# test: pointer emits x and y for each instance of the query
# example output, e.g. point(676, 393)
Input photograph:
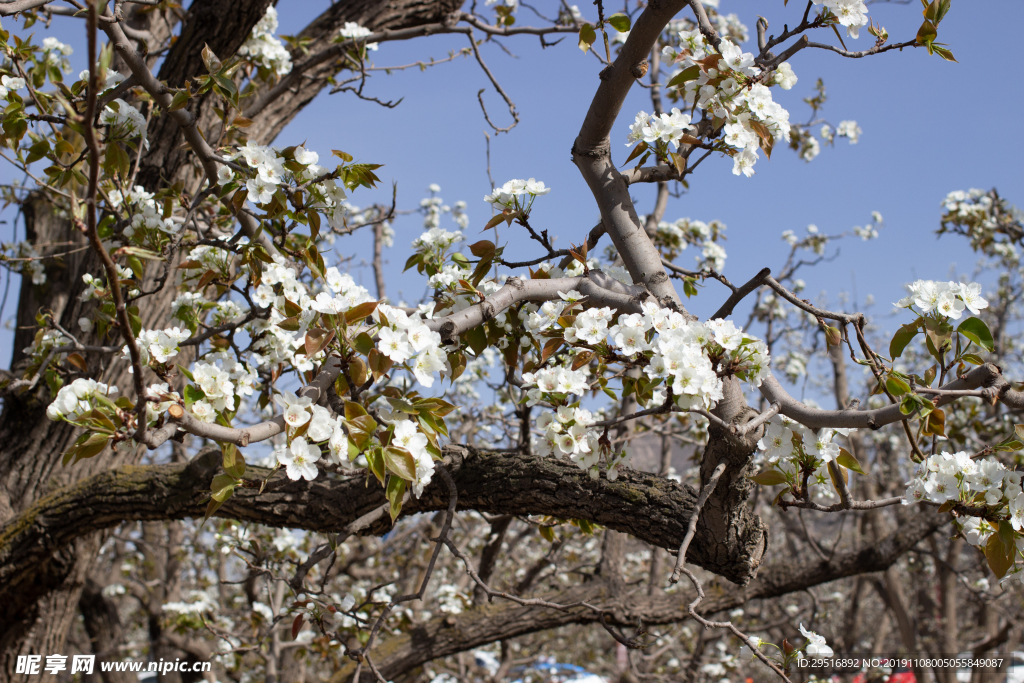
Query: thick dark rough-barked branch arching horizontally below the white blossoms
point(652, 508)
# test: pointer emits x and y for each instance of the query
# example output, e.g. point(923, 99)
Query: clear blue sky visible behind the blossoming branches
point(930, 127)
